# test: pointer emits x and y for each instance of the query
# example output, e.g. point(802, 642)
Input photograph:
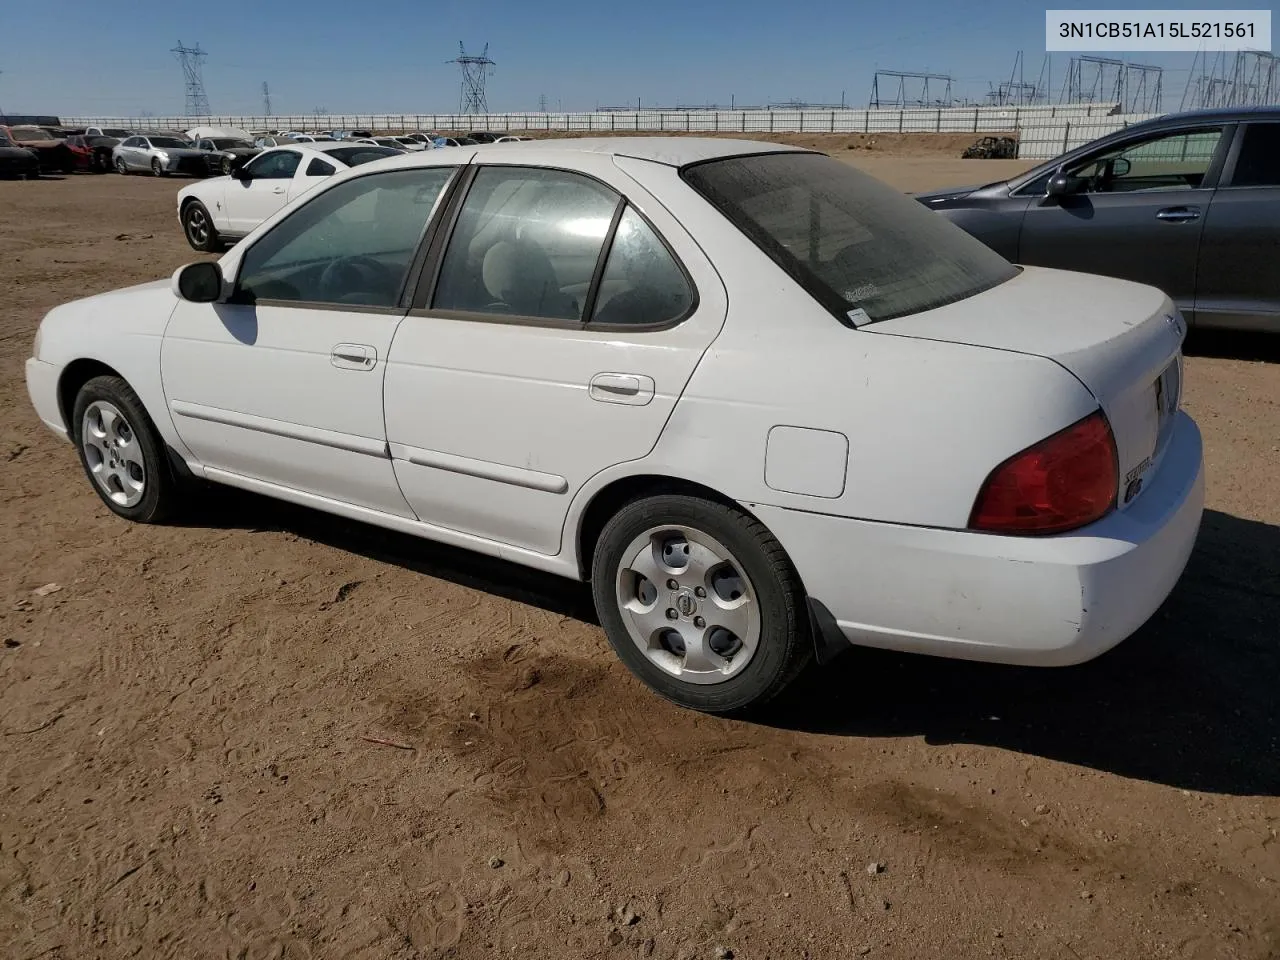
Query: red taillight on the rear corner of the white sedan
point(1062, 483)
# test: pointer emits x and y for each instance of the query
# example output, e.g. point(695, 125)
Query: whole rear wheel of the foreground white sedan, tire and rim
point(701, 602)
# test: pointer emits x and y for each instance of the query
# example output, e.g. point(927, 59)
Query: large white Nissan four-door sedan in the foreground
point(766, 405)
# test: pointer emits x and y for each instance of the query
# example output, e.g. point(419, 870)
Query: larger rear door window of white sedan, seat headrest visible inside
point(527, 244)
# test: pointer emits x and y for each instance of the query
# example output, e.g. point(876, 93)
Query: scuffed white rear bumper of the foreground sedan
point(1032, 601)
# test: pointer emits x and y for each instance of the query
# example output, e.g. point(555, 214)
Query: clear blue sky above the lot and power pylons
point(92, 58)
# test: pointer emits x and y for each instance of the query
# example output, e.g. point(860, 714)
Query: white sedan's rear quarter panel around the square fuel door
point(926, 420)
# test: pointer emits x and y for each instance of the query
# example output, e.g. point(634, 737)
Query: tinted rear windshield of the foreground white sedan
point(865, 250)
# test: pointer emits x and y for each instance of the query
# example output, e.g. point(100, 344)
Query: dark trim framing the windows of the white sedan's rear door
point(424, 294)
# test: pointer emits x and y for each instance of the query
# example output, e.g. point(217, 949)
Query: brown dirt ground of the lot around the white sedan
point(185, 772)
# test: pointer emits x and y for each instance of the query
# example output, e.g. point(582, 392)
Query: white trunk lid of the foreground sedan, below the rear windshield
point(1122, 340)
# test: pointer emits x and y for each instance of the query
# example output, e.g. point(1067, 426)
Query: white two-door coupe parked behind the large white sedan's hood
point(221, 211)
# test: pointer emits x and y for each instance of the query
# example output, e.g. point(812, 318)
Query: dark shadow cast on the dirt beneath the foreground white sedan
point(1192, 701)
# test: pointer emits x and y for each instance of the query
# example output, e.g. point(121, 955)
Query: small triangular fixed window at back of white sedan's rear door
point(642, 282)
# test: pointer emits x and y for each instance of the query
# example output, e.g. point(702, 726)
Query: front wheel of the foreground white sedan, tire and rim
point(124, 455)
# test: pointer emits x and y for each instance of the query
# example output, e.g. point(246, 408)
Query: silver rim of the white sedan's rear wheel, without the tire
point(688, 605)
